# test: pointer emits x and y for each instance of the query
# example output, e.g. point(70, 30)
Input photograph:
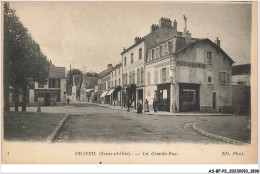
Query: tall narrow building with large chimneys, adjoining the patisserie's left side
point(133, 59)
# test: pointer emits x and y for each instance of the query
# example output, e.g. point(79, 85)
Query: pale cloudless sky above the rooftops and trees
point(90, 35)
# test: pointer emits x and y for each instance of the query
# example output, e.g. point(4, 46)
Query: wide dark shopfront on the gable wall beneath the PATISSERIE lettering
point(189, 97)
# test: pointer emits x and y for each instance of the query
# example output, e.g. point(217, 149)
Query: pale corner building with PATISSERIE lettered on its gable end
point(189, 75)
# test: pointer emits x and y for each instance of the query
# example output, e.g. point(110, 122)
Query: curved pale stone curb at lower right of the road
point(217, 137)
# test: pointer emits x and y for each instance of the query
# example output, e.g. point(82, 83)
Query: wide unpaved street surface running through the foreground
point(99, 123)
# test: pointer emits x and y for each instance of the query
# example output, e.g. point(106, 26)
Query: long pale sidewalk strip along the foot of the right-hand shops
point(151, 112)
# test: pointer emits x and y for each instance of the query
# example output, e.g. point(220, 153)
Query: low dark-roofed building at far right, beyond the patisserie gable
point(241, 74)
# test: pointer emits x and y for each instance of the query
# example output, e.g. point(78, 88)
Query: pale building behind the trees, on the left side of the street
point(53, 92)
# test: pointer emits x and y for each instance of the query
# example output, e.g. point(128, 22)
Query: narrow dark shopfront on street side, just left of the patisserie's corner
point(163, 96)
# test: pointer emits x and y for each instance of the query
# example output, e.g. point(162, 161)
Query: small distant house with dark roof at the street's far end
point(87, 87)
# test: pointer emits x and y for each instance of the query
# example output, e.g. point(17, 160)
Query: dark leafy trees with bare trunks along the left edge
point(23, 59)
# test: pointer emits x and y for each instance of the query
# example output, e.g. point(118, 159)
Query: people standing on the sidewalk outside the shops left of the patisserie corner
point(140, 105)
